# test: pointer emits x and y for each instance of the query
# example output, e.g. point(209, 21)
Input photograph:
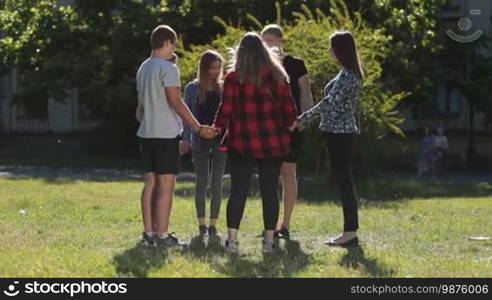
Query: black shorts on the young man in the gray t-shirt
point(161, 156)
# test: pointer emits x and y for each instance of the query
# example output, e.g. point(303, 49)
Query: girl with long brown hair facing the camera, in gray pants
point(203, 96)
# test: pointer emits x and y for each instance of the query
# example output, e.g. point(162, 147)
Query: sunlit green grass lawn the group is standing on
point(64, 228)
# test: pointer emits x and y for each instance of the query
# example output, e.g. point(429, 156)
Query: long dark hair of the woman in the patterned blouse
point(343, 45)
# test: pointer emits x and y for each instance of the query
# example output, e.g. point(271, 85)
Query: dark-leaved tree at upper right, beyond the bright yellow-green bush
point(416, 43)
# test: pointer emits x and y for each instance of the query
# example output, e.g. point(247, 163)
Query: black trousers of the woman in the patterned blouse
point(340, 153)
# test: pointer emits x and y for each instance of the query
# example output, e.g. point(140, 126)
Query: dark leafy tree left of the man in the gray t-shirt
point(94, 46)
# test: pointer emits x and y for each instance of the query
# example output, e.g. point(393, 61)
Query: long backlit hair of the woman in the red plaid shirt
point(251, 55)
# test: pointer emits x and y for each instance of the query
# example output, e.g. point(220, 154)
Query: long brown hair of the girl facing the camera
point(204, 81)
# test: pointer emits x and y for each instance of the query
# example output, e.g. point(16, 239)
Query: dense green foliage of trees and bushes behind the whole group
point(97, 46)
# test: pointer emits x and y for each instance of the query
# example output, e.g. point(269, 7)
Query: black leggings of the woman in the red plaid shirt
point(241, 168)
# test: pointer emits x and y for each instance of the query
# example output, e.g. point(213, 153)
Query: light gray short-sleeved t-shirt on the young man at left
point(160, 120)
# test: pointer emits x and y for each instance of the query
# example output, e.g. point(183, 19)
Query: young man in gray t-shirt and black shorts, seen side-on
point(160, 112)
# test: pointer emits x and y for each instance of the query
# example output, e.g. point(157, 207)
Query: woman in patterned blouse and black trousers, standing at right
point(337, 115)
